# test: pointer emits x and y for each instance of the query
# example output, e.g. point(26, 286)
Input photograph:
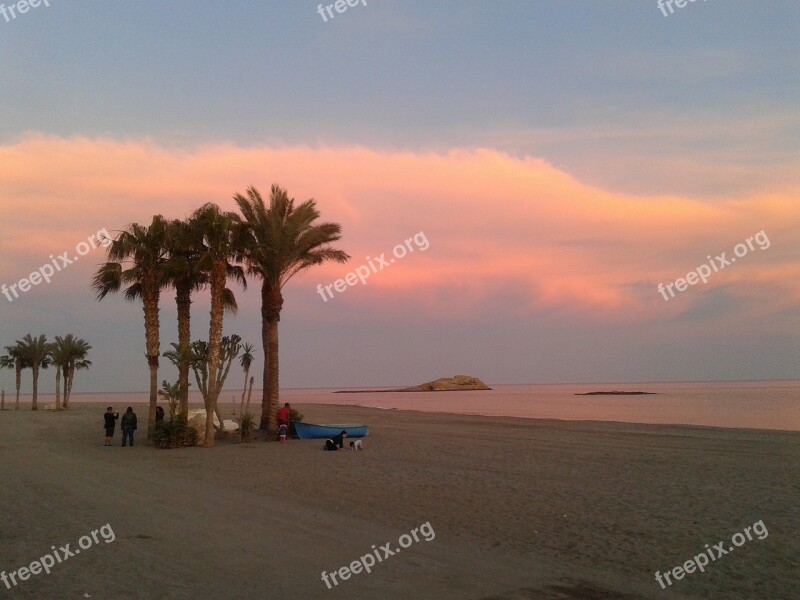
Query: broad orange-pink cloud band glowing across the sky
point(495, 224)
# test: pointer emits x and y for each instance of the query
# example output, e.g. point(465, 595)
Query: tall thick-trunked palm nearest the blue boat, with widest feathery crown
point(283, 239)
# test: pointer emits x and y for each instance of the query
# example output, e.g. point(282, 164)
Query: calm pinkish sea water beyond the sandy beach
point(758, 405)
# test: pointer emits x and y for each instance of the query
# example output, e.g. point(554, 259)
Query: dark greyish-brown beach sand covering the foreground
point(521, 509)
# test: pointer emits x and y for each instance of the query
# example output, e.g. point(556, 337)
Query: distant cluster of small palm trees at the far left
point(67, 354)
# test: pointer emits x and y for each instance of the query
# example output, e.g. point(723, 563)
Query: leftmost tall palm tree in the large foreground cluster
point(145, 248)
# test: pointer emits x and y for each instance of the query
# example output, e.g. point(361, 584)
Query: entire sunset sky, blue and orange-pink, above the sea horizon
point(514, 181)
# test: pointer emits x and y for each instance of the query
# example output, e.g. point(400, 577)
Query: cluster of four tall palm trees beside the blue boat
point(271, 242)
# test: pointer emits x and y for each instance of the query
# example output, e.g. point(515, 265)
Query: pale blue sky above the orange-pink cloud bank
point(563, 79)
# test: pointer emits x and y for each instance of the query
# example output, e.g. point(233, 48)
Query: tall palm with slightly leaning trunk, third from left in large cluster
point(222, 238)
